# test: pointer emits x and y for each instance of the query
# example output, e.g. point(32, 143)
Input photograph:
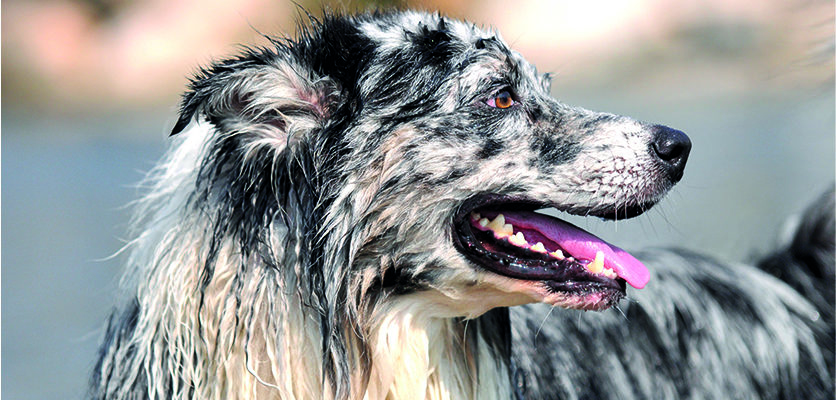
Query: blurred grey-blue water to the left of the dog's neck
point(65, 185)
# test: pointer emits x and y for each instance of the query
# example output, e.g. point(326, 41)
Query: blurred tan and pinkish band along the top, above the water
point(81, 54)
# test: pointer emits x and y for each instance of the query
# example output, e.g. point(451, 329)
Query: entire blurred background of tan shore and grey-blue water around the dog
point(90, 88)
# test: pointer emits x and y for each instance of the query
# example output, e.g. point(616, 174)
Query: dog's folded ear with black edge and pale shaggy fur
point(259, 90)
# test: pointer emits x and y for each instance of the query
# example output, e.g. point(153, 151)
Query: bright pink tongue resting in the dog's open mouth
point(582, 245)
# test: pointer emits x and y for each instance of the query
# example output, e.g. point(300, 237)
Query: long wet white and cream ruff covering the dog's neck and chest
point(216, 320)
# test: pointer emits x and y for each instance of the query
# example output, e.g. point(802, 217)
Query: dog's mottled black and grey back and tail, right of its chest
point(707, 329)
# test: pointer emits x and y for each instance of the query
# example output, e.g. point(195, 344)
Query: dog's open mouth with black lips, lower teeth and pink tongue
point(510, 239)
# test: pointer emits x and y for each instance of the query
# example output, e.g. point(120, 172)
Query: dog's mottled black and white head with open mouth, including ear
point(404, 154)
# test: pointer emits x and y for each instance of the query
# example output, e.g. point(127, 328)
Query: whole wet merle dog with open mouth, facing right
point(350, 214)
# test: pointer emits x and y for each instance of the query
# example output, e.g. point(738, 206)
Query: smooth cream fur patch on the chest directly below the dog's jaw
point(416, 356)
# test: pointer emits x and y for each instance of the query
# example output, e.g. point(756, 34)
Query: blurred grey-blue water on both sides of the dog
point(757, 159)
